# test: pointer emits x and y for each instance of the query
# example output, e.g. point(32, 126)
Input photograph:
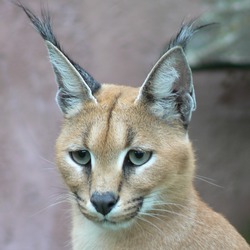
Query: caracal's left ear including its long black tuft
point(75, 85)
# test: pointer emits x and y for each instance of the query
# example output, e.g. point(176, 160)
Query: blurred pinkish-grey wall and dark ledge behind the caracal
point(118, 42)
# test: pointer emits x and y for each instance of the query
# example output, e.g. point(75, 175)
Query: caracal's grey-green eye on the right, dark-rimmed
point(138, 157)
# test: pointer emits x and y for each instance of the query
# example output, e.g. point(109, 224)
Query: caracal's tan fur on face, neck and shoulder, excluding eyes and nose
point(176, 217)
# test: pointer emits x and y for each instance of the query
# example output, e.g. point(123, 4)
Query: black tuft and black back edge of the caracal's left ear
point(44, 28)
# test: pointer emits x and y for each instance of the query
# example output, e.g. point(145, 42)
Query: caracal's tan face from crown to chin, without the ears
point(119, 161)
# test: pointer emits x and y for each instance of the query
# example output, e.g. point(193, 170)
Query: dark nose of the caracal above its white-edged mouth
point(103, 202)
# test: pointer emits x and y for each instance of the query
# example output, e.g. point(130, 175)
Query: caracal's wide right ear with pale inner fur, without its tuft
point(168, 89)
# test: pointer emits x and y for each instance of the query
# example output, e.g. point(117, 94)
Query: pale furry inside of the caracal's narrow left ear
point(73, 91)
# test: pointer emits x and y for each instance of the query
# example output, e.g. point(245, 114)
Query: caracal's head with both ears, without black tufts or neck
point(124, 151)
